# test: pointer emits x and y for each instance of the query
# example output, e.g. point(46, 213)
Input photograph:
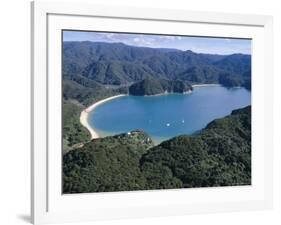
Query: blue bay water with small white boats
point(166, 116)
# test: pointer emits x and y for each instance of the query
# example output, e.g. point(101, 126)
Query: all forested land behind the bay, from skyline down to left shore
point(93, 71)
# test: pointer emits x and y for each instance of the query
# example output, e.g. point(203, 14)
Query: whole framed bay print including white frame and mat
point(146, 112)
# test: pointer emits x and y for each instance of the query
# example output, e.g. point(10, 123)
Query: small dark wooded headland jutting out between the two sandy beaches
point(152, 86)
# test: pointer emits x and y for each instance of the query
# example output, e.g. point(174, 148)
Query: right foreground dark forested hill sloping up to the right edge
point(219, 156)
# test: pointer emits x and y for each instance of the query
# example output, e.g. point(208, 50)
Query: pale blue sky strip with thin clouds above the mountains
point(209, 45)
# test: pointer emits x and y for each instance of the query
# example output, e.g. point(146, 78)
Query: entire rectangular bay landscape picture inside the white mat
point(143, 111)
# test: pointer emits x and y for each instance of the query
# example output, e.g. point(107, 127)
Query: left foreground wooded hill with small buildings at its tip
point(106, 164)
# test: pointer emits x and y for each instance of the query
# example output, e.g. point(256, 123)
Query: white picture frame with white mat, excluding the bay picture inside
point(48, 205)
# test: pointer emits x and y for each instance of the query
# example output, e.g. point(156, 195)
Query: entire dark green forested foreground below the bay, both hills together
point(220, 155)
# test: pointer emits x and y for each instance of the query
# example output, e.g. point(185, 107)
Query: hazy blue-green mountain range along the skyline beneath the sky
point(120, 64)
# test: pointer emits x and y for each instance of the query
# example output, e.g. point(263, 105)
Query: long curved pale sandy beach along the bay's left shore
point(85, 113)
